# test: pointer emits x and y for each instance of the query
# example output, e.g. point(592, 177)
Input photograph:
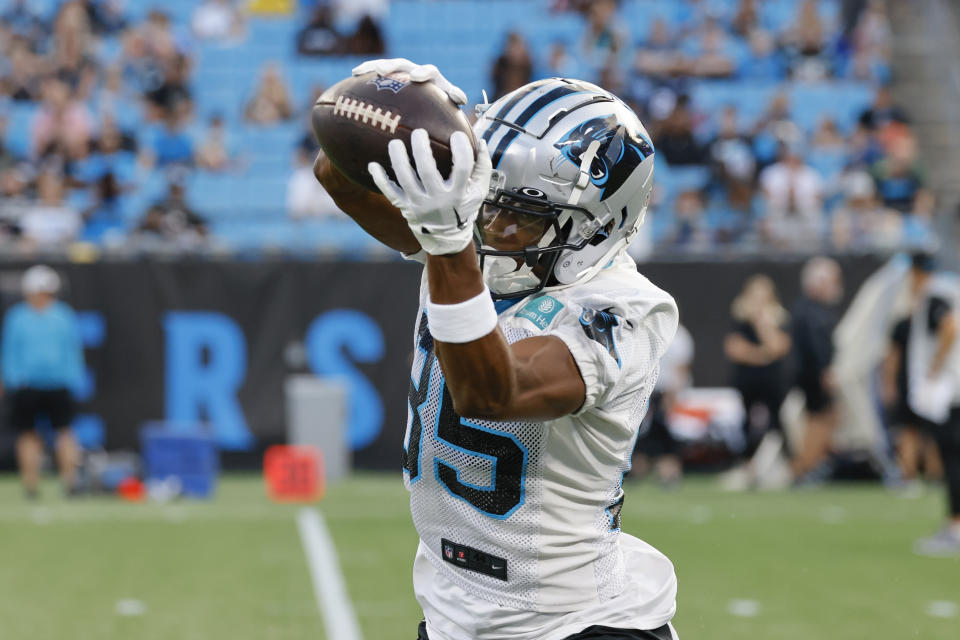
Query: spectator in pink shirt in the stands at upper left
point(62, 120)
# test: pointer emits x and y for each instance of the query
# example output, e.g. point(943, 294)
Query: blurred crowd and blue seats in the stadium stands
point(133, 126)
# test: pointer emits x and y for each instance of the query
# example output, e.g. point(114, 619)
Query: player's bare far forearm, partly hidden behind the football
point(371, 211)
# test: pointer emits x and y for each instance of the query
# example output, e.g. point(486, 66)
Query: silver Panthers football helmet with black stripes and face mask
point(573, 170)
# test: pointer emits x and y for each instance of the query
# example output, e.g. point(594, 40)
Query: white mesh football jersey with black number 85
point(521, 518)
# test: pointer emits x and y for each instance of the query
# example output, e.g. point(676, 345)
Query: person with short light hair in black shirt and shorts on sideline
point(815, 316)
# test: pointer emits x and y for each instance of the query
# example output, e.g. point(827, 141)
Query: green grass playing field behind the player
point(831, 564)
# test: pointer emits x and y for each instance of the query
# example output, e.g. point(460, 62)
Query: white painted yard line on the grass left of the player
point(339, 618)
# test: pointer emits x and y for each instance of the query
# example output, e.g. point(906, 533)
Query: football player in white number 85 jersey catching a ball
point(537, 347)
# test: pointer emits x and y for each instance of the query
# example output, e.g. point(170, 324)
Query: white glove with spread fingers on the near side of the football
point(441, 213)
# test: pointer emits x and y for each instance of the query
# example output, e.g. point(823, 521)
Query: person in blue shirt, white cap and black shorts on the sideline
point(42, 366)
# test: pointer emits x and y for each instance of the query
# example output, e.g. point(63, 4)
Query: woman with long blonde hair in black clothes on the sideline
point(757, 347)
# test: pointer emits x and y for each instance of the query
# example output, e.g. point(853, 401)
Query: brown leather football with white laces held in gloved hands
point(356, 118)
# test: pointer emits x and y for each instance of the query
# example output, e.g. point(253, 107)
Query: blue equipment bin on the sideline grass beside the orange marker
point(189, 456)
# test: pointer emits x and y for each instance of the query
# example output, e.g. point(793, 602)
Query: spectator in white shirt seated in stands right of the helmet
point(793, 200)
